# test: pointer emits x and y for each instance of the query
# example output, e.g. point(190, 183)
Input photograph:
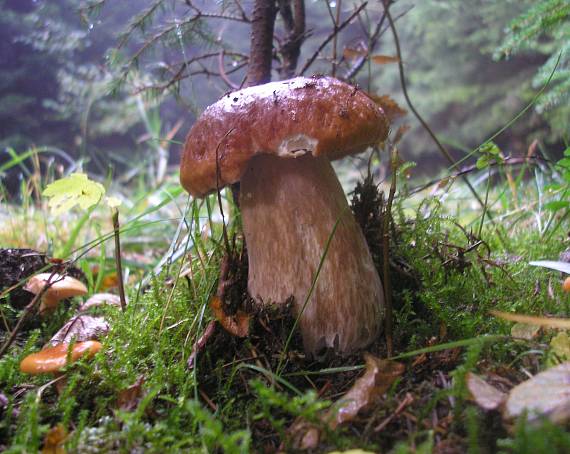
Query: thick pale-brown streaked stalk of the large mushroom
point(289, 210)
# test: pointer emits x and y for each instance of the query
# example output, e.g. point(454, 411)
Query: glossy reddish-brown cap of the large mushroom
point(320, 115)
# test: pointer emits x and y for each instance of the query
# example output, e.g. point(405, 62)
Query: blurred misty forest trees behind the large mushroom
point(103, 80)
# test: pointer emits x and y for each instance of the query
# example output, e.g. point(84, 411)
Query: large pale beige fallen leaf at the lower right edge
point(547, 394)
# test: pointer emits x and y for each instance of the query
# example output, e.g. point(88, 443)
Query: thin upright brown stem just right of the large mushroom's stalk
point(386, 254)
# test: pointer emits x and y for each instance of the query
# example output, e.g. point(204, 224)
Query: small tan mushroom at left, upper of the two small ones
point(61, 287)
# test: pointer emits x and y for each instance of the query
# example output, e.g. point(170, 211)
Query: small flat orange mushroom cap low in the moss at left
point(53, 359)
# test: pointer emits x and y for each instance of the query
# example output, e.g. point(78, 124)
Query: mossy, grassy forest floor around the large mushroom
point(169, 378)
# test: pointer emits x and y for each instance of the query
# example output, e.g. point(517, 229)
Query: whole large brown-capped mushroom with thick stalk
point(278, 139)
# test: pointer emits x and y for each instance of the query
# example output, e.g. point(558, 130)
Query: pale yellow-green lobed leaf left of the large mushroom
point(76, 189)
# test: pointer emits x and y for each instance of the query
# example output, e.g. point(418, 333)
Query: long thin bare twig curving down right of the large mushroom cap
point(439, 145)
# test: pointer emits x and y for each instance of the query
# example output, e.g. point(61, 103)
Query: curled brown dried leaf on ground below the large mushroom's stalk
point(367, 390)
